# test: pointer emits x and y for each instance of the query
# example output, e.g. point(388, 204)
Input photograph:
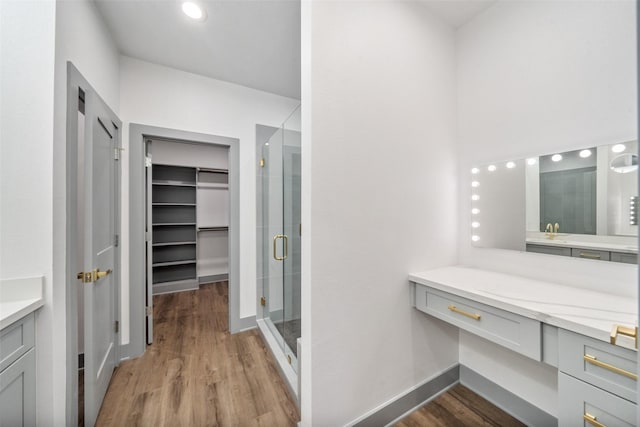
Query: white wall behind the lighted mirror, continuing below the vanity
point(533, 78)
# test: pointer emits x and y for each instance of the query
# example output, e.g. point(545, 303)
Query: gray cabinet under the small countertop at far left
point(18, 373)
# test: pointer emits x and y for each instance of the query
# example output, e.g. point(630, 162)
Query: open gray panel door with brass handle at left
point(99, 252)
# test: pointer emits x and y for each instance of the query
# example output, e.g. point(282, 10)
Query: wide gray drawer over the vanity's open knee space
point(515, 332)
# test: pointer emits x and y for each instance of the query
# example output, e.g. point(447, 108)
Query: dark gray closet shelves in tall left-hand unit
point(173, 221)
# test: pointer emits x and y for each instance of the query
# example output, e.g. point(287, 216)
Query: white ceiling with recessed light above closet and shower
point(254, 43)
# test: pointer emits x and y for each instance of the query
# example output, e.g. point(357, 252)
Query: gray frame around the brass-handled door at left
point(75, 80)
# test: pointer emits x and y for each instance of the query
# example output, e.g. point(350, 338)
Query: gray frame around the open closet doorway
point(138, 134)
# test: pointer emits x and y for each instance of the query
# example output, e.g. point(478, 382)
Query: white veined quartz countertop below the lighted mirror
point(579, 310)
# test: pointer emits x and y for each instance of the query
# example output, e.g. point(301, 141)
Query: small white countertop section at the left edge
point(19, 297)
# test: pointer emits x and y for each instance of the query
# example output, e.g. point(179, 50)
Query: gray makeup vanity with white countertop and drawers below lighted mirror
point(565, 327)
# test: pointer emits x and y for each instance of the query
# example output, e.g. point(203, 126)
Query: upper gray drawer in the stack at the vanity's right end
point(598, 363)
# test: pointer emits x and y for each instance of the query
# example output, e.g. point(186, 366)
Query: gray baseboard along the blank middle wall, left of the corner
point(408, 401)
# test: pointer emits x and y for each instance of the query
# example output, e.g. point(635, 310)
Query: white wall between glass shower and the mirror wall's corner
point(379, 201)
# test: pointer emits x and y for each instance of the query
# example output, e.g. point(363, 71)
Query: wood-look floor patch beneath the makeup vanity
point(459, 407)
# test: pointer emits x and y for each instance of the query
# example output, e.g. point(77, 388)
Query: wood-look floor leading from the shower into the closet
point(197, 374)
